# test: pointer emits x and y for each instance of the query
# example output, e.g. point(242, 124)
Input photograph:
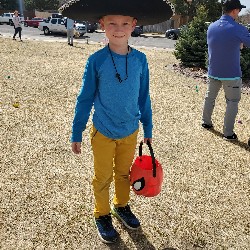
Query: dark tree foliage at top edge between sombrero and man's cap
point(213, 7)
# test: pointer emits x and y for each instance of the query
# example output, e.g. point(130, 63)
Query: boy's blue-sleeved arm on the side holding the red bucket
point(145, 103)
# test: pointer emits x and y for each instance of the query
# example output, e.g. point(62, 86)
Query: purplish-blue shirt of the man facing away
point(224, 38)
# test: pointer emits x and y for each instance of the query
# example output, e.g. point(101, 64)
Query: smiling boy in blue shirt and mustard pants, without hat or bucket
point(116, 82)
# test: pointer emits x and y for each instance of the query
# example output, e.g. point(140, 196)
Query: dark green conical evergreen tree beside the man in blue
point(191, 48)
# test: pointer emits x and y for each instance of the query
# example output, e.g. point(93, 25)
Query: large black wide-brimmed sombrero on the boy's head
point(147, 12)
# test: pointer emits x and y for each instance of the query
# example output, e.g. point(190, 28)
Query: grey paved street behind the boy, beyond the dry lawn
point(146, 40)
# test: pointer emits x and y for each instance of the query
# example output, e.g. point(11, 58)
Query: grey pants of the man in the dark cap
point(232, 90)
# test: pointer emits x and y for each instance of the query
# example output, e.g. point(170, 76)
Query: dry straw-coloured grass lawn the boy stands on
point(46, 198)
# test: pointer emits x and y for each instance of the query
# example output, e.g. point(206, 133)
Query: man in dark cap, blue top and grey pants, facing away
point(224, 39)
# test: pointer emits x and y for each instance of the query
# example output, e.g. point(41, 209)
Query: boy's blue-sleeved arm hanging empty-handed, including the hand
point(84, 103)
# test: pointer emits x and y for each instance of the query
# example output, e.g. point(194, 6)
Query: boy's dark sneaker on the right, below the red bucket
point(126, 216)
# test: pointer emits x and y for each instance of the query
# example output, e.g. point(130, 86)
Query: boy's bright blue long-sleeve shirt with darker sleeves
point(118, 107)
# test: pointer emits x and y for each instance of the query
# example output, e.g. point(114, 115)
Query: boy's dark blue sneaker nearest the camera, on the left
point(105, 229)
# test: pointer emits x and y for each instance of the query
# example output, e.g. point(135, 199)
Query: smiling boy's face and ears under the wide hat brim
point(118, 28)
